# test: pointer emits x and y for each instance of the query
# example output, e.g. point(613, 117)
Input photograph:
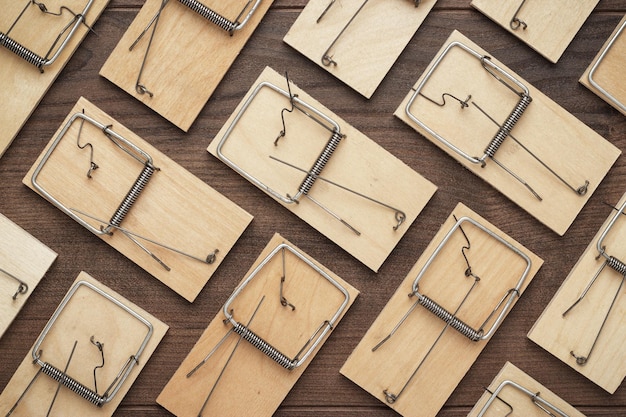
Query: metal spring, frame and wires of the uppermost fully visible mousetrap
point(504, 129)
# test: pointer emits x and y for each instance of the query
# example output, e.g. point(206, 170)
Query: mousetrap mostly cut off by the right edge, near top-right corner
point(604, 75)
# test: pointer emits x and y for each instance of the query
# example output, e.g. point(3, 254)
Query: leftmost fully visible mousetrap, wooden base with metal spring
point(136, 199)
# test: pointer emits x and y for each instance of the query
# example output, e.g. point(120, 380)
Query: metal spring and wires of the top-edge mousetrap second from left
point(209, 14)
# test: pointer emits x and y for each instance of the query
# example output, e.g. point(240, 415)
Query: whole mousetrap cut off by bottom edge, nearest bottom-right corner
point(513, 392)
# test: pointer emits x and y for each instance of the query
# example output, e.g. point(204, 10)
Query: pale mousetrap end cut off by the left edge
point(24, 261)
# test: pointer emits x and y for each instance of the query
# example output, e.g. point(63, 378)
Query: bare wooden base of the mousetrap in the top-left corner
point(23, 85)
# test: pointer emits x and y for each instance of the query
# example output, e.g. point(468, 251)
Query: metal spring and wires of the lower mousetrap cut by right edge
point(616, 265)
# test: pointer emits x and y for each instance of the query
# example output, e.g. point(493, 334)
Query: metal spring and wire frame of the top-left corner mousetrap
point(32, 57)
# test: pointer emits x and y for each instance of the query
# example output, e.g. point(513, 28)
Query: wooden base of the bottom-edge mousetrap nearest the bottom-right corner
point(521, 402)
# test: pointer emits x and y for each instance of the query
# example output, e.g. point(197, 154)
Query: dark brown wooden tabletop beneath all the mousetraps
point(321, 390)
